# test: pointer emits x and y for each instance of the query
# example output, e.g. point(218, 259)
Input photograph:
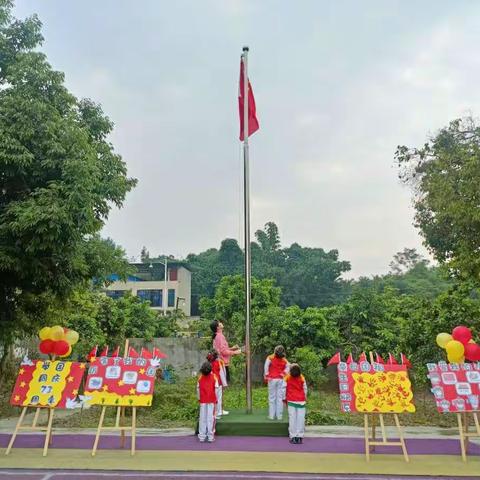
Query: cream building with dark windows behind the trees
point(148, 282)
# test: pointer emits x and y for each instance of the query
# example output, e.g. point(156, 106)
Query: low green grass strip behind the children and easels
point(176, 406)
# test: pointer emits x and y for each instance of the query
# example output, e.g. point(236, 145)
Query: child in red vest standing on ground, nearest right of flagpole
point(294, 392)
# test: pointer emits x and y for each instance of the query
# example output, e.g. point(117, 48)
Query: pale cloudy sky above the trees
point(338, 85)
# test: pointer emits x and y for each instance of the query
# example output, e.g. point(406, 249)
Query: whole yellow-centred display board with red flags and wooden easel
point(375, 388)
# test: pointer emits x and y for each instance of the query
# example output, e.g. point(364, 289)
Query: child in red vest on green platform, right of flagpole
point(276, 367)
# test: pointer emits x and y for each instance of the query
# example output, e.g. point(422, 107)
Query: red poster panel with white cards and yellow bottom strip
point(117, 381)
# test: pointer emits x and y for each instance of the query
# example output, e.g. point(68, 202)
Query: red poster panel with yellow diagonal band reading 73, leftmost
point(46, 383)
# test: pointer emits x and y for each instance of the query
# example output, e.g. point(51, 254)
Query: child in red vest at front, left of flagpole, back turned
point(206, 386)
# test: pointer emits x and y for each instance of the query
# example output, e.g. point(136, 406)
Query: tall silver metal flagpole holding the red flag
point(248, 263)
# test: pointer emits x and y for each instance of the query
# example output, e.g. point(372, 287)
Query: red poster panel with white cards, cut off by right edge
point(456, 387)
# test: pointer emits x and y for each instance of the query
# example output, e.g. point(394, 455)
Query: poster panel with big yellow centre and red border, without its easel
point(368, 388)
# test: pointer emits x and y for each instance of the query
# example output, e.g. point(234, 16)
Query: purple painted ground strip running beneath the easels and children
point(416, 446)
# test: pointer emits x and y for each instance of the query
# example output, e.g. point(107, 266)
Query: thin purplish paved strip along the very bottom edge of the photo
point(84, 475)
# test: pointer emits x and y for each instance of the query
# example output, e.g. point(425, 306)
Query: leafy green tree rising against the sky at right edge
point(444, 174)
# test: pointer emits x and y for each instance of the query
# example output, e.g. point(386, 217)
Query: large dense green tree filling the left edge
point(59, 178)
